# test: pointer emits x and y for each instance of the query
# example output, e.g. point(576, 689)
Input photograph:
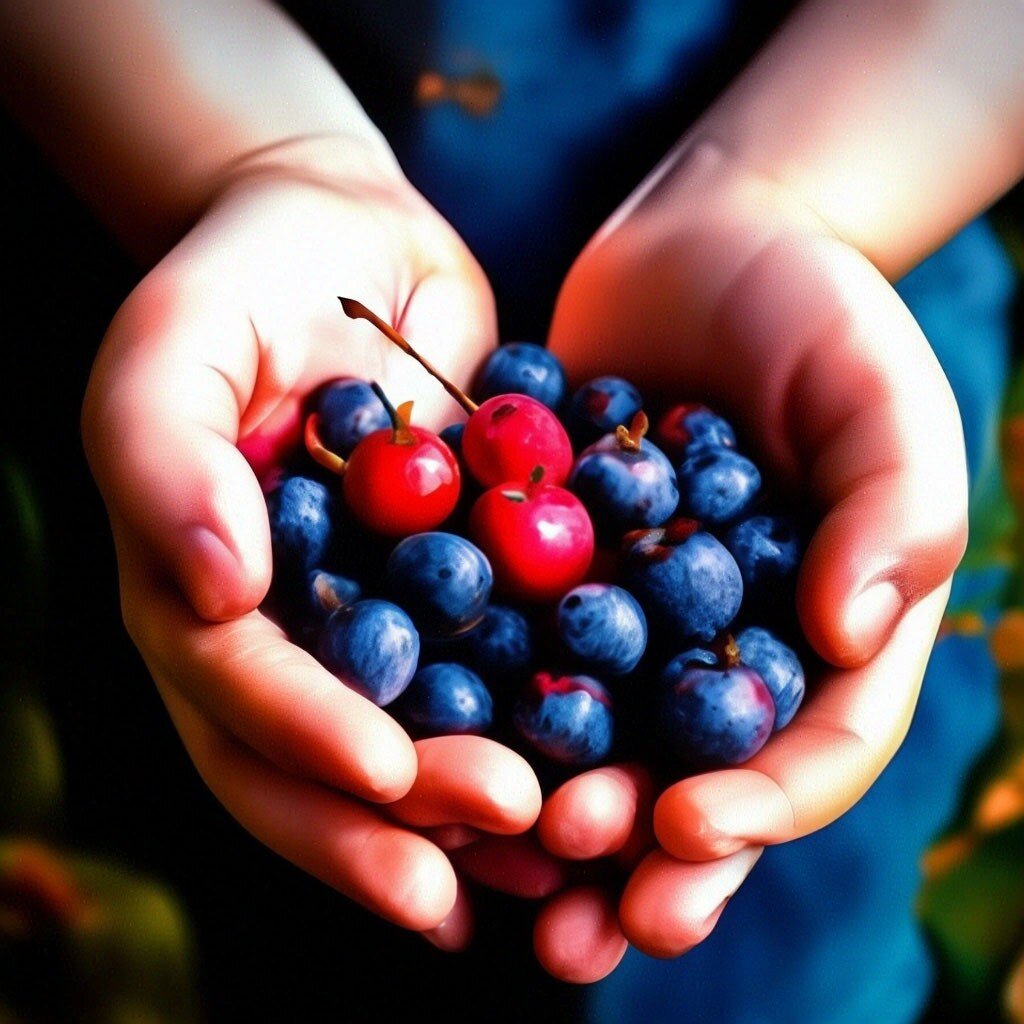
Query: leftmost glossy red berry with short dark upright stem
point(402, 487)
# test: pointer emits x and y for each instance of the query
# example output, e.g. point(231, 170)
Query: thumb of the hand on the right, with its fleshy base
point(872, 428)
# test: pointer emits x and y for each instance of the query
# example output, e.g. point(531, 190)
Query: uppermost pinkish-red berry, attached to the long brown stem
point(510, 436)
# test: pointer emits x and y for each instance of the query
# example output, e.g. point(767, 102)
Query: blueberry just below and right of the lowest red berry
point(605, 627)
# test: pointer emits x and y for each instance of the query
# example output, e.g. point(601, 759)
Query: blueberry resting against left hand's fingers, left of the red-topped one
point(446, 700)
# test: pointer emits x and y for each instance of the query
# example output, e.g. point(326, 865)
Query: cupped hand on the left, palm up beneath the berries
point(226, 336)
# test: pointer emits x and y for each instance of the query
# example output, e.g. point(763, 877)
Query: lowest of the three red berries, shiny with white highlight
point(538, 537)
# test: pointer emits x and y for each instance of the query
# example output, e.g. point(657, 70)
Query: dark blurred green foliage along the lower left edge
point(81, 940)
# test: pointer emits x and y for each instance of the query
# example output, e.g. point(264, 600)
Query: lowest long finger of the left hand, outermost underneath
point(389, 870)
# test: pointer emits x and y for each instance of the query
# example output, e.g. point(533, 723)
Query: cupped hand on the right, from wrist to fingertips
point(715, 284)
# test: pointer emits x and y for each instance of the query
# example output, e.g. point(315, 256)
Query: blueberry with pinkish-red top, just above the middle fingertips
point(568, 719)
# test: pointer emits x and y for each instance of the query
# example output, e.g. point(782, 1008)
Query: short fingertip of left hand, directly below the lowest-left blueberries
point(471, 781)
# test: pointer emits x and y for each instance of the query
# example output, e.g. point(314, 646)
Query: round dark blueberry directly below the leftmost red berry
point(444, 581)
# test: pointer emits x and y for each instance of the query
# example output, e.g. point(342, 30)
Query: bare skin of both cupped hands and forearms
point(261, 192)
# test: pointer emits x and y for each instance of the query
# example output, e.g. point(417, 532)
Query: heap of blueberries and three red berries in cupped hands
point(566, 585)
